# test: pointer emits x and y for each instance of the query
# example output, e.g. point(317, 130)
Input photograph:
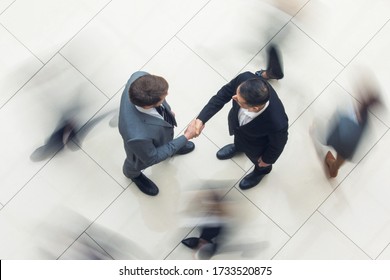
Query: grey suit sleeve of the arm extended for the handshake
point(149, 154)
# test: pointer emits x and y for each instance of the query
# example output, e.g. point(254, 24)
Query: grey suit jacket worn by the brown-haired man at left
point(148, 140)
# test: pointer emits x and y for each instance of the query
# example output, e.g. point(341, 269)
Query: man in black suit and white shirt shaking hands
point(257, 120)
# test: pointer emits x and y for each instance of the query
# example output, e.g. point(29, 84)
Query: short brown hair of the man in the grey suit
point(148, 90)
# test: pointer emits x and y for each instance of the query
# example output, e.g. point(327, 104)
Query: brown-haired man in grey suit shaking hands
point(146, 124)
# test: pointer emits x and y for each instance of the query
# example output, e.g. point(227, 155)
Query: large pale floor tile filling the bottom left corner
point(55, 207)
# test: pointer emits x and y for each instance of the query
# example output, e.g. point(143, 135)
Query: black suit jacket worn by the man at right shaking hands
point(265, 136)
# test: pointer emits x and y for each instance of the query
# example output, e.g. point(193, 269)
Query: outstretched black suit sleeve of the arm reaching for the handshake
point(223, 96)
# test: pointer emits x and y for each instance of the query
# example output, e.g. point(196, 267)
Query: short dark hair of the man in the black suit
point(254, 91)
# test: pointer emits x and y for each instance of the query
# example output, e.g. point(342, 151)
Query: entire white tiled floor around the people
point(78, 204)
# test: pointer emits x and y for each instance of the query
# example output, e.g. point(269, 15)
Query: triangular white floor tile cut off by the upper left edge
point(18, 65)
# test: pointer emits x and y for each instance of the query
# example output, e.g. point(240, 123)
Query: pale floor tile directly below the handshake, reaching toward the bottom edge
point(156, 217)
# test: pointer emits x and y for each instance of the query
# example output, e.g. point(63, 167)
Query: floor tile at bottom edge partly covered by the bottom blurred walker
point(251, 235)
